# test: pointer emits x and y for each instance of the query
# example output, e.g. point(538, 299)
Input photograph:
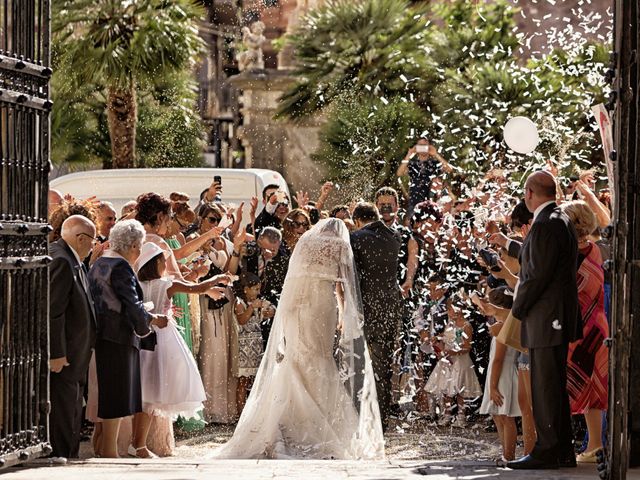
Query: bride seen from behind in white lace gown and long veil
point(314, 397)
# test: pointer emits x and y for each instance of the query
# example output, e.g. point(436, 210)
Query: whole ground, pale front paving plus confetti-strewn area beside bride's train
point(414, 449)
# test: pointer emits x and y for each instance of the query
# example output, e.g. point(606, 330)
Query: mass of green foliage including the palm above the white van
point(110, 61)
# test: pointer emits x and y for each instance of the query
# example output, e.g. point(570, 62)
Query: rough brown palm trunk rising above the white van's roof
point(122, 115)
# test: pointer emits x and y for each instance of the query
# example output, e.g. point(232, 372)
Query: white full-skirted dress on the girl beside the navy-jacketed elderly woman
point(171, 384)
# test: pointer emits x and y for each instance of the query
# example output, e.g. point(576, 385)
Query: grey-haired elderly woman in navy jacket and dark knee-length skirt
point(123, 325)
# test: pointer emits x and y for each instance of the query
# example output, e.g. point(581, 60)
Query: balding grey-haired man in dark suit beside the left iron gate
point(72, 333)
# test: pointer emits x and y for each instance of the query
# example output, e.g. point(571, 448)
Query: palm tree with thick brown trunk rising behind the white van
point(124, 44)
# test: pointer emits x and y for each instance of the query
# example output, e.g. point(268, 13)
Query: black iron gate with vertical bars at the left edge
point(24, 282)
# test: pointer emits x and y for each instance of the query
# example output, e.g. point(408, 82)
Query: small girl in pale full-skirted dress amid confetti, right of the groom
point(453, 378)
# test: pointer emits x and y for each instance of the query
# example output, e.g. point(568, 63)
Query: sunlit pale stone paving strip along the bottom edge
point(172, 469)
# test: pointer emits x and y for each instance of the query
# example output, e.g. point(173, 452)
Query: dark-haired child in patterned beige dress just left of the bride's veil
point(248, 315)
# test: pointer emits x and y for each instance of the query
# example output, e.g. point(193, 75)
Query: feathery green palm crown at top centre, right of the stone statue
point(355, 45)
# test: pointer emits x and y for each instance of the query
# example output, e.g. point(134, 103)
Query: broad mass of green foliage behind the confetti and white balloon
point(452, 69)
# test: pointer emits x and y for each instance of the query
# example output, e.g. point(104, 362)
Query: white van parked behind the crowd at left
point(121, 186)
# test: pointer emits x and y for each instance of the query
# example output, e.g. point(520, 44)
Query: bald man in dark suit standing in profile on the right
point(546, 301)
